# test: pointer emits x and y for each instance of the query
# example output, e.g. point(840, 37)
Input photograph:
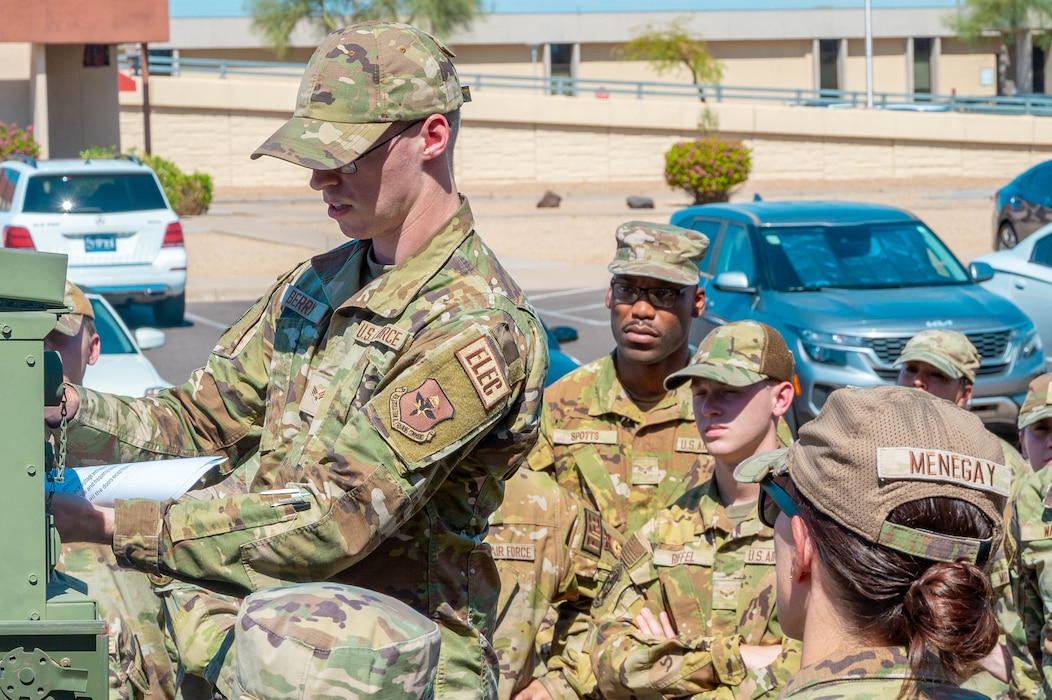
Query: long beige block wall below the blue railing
point(213, 126)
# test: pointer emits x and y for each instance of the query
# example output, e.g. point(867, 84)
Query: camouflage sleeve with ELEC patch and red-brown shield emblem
point(365, 473)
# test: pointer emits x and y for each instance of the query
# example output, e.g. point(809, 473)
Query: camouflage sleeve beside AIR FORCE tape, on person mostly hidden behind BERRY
point(595, 549)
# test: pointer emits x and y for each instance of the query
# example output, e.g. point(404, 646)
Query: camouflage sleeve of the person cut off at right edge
point(1029, 548)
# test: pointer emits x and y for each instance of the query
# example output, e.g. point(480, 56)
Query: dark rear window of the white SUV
point(95, 194)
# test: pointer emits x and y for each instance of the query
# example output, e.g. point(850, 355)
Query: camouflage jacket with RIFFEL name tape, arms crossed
point(717, 583)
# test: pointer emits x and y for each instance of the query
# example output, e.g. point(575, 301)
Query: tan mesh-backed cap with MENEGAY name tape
point(873, 450)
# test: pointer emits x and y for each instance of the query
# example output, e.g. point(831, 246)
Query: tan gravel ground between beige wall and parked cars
point(580, 231)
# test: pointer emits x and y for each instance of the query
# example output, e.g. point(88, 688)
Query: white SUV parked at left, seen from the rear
point(112, 219)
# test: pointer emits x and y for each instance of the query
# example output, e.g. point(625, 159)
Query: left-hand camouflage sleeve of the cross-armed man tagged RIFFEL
point(628, 663)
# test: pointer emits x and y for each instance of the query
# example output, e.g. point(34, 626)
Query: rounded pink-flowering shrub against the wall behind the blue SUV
point(707, 169)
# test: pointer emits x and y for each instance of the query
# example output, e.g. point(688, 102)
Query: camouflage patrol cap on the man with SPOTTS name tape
point(660, 251)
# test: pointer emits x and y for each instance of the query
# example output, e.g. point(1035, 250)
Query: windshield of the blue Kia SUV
point(858, 257)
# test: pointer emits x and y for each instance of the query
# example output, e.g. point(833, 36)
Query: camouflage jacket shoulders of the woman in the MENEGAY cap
point(874, 674)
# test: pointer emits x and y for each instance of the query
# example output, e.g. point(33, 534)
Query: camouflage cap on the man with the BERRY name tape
point(360, 81)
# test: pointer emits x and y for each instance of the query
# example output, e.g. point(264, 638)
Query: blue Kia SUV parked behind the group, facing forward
point(847, 285)
